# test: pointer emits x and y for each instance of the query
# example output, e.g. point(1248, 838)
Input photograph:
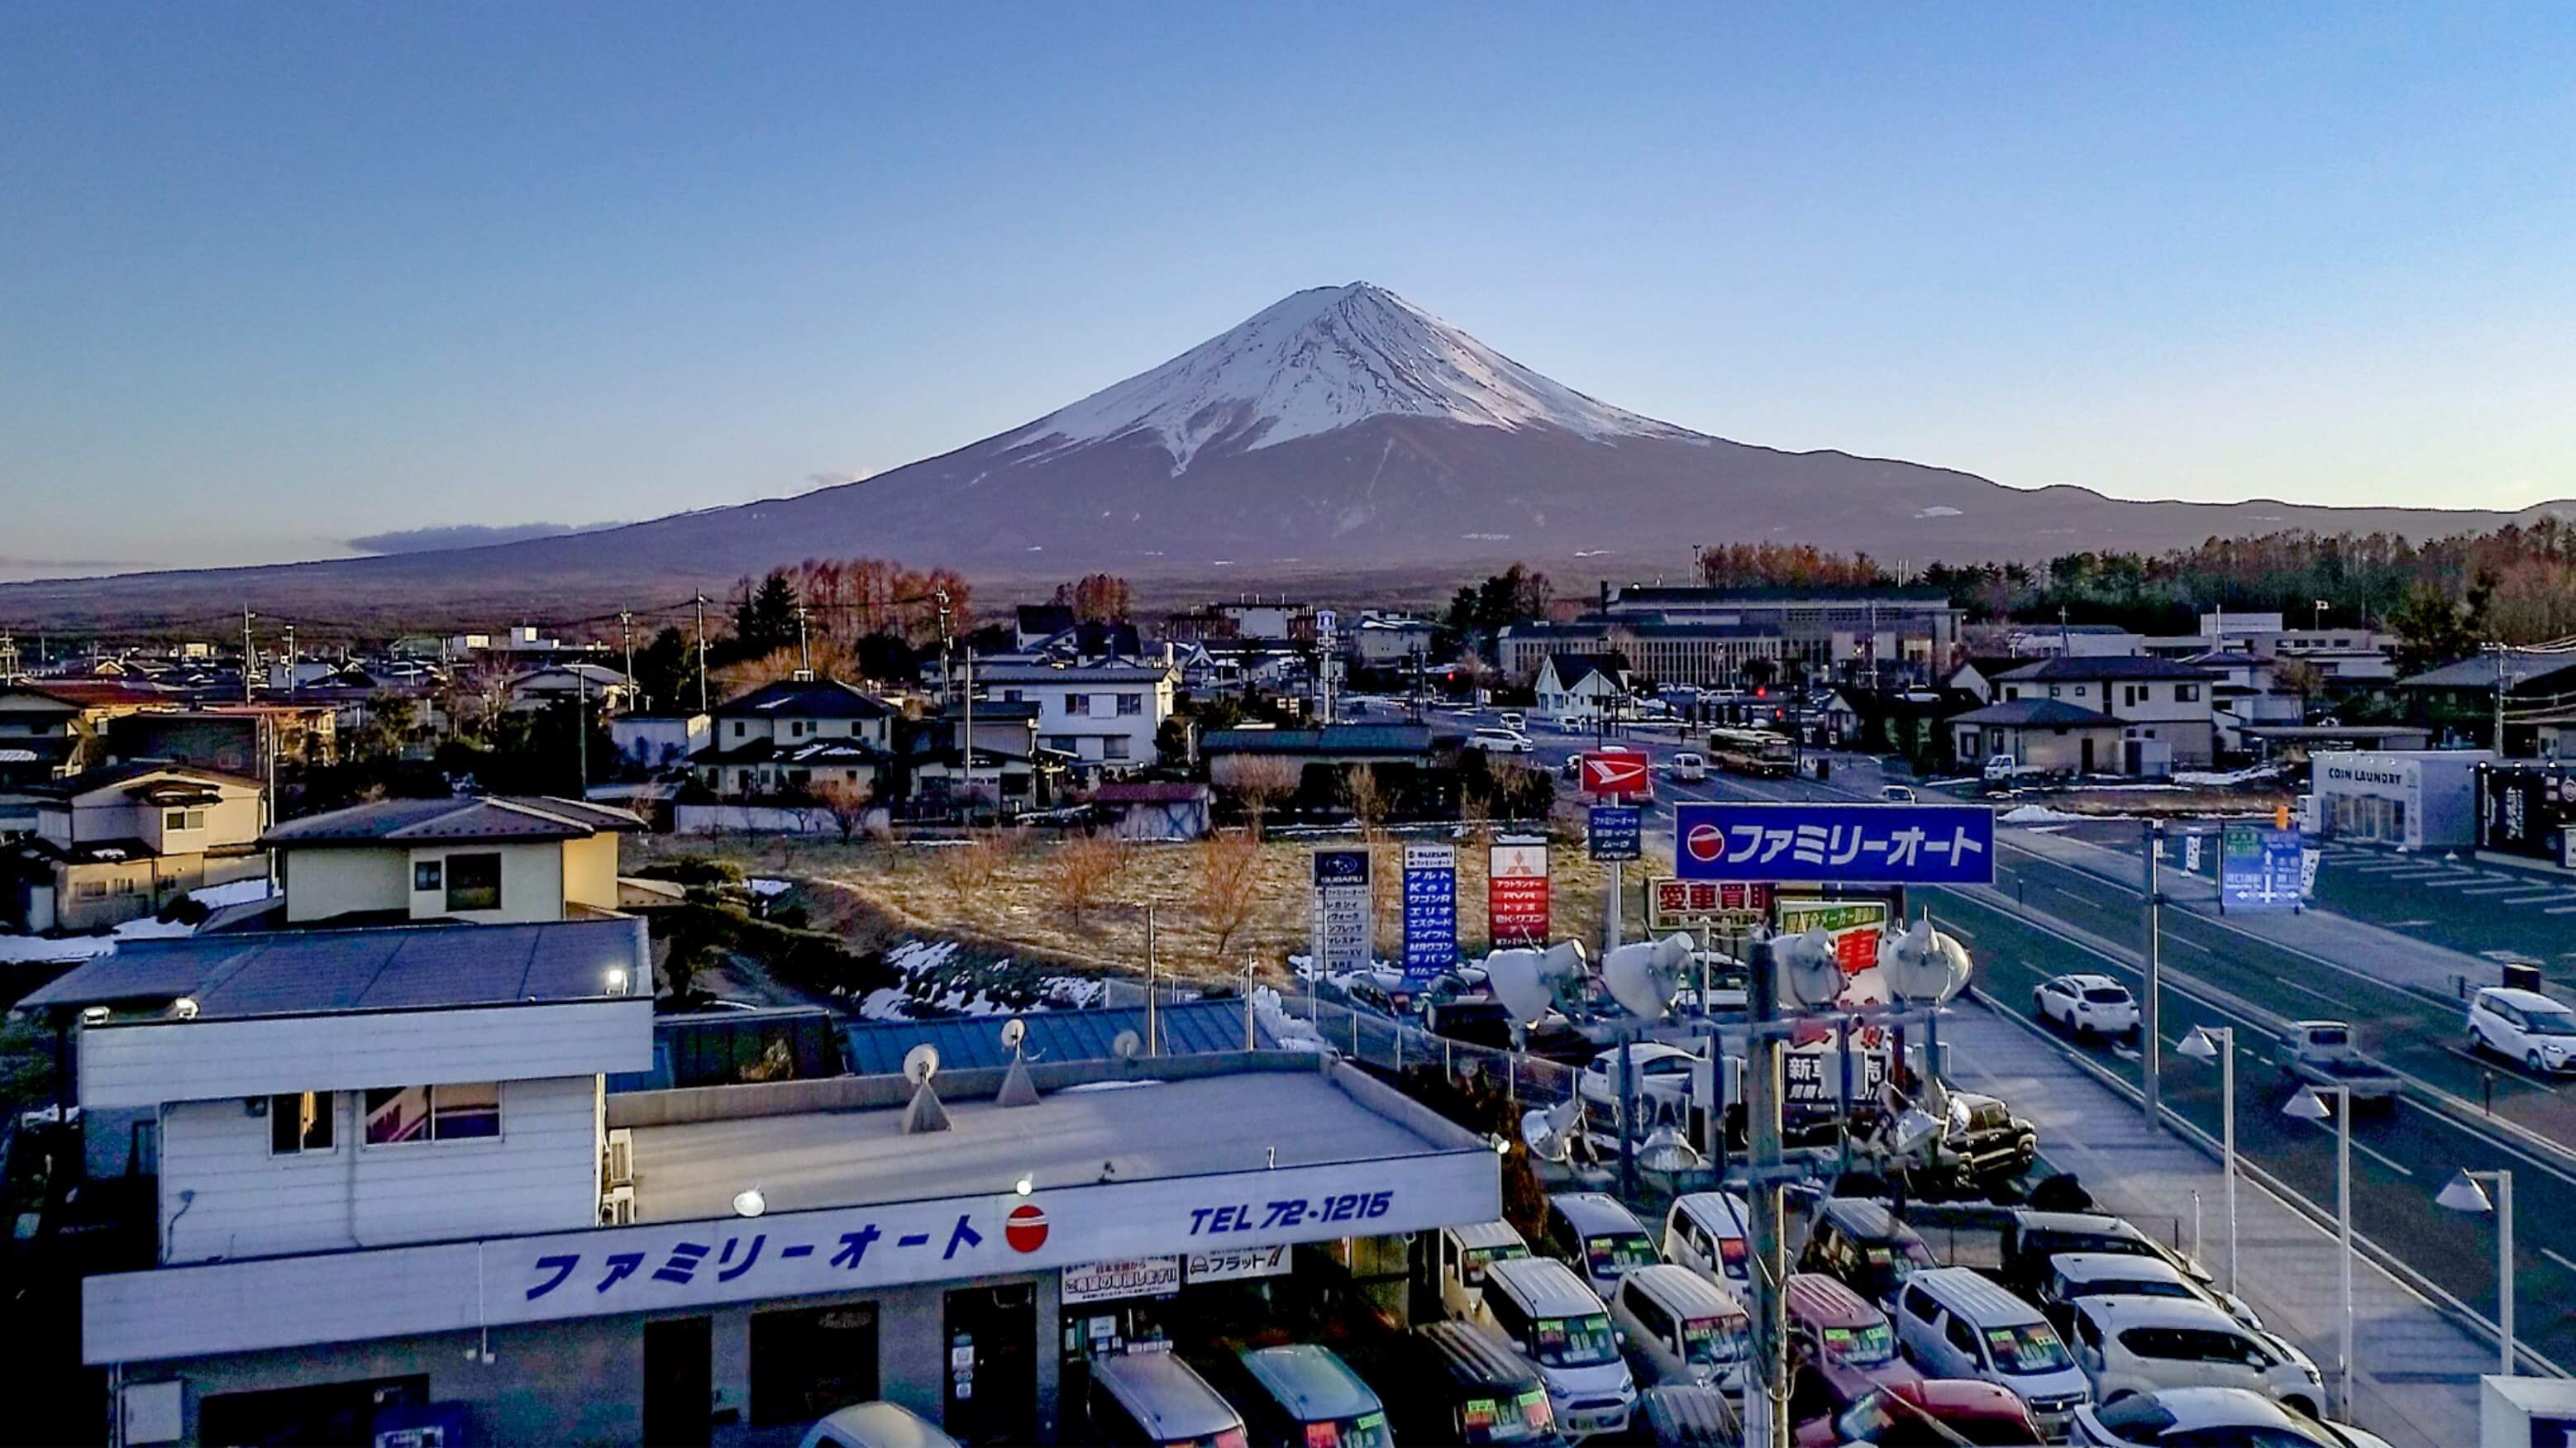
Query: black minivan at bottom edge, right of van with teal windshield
point(1449, 1382)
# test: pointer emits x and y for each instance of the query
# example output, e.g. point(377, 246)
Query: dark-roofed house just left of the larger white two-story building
point(797, 736)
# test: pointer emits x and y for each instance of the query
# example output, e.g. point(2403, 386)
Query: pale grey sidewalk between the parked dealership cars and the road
point(2415, 1372)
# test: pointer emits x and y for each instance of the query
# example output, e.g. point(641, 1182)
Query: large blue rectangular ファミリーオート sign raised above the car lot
point(1835, 844)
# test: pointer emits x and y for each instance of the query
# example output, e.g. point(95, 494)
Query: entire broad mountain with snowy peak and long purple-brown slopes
point(1336, 434)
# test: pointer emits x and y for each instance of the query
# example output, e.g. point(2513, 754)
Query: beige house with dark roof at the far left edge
point(122, 841)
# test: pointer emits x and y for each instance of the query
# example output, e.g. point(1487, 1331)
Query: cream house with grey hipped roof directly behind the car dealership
point(486, 859)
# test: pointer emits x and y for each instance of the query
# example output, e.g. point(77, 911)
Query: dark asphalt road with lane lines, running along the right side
point(2031, 929)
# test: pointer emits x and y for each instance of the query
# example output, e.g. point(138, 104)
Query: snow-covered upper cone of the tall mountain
point(1325, 359)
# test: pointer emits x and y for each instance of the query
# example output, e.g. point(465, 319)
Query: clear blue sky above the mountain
point(274, 277)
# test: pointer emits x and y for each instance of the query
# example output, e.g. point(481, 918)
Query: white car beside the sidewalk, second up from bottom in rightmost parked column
point(2145, 1344)
